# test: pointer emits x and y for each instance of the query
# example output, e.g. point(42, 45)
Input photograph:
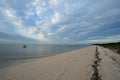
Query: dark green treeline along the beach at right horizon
point(113, 46)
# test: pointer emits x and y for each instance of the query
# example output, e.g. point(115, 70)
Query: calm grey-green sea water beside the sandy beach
point(14, 54)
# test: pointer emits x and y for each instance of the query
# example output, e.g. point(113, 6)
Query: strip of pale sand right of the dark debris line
point(110, 64)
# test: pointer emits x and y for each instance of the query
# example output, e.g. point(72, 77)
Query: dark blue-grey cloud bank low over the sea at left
point(15, 38)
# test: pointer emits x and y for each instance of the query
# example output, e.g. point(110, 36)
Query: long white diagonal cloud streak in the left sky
point(12, 17)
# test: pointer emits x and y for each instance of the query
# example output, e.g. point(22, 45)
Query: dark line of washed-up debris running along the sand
point(95, 65)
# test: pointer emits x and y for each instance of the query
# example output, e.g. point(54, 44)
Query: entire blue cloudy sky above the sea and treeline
point(59, 21)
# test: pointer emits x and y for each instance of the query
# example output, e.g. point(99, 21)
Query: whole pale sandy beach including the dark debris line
point(91, 63)
